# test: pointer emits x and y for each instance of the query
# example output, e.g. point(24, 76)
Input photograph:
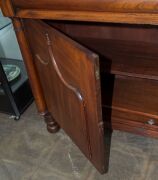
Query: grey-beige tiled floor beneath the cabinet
point(29, 152)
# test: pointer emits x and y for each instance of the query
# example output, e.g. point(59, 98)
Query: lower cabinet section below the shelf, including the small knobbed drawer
point(134, 103)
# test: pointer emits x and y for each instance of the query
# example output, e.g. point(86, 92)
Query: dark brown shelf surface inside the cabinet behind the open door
point(136, 59)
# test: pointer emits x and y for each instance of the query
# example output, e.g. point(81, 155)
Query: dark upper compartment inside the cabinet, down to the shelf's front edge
point(125, 50)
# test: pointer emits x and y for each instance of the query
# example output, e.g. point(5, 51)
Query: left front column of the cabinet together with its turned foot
point(52, 126)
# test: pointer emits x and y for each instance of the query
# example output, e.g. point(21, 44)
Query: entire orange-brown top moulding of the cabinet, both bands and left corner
point(114, 11)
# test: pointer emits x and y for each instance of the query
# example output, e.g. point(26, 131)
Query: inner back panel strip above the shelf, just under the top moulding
point(95, 30)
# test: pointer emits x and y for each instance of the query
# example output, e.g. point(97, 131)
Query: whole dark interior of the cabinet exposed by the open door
point(129, 68)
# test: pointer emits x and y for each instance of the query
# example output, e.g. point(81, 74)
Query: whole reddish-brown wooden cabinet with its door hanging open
point(89, 75)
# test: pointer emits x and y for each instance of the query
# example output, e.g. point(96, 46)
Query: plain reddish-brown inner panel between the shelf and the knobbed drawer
point(135, 94)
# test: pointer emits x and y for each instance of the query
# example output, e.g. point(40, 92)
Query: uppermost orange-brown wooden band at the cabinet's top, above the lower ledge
point(90, 5)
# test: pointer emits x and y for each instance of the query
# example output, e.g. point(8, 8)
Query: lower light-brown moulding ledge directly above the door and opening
point(130, 18)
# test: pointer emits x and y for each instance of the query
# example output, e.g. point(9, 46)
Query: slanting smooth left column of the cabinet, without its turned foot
point(33, 76)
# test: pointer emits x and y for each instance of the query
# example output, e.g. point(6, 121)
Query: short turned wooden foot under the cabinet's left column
point(52, 125)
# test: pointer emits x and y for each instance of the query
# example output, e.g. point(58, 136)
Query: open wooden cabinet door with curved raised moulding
point(69, 75)
